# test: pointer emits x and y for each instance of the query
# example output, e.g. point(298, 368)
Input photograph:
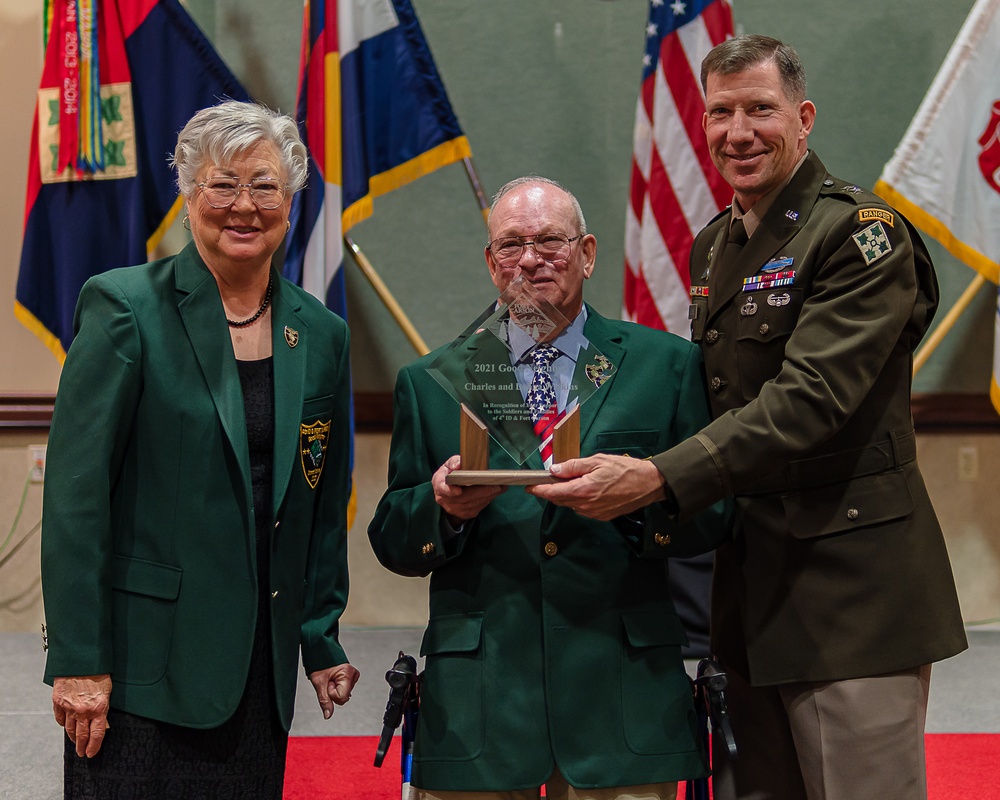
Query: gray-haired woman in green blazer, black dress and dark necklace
point(196, 492)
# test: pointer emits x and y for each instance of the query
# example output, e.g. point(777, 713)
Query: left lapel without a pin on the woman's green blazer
point(204, 318)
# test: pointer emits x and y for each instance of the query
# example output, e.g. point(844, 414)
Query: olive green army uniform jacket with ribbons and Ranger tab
point(840, 568)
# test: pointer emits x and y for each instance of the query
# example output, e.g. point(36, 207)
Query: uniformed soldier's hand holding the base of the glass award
point(603, 486)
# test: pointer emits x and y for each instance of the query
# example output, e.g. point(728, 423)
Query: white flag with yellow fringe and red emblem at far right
point(945, 174)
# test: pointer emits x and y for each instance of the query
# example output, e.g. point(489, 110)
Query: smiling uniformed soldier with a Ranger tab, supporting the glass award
point(808, 298)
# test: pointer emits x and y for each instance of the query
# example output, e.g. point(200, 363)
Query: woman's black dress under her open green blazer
point(244, 758)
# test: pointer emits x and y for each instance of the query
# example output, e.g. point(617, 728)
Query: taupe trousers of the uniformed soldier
point(860, 739)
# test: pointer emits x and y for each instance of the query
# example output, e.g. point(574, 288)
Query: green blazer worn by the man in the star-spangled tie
point(552, 638)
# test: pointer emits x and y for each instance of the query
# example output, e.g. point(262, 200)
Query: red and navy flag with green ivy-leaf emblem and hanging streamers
point(107, 202)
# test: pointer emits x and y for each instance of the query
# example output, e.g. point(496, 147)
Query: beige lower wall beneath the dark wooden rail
point(969, 511)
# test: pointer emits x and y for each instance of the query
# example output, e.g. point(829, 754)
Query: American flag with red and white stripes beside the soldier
point(675, 188)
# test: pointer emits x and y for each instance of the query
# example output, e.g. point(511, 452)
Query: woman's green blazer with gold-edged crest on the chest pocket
point(148, 544)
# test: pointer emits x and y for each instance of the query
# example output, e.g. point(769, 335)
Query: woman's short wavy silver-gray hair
point(216, 135)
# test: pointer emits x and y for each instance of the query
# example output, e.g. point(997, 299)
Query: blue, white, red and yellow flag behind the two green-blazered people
point(375, 116)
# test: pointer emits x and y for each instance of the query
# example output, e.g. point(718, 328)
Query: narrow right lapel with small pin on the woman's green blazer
point(287, 327)
